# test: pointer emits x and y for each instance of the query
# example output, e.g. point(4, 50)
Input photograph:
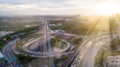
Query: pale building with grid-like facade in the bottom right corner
point(113, 61)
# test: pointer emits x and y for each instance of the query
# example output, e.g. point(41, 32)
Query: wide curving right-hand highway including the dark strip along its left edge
point(88, 49)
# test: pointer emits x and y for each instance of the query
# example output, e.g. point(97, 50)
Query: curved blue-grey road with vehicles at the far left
point(9, 56)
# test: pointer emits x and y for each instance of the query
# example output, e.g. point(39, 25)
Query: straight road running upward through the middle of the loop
point(47, 46)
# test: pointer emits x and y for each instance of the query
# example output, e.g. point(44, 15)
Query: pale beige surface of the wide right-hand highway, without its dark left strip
point(89, 49)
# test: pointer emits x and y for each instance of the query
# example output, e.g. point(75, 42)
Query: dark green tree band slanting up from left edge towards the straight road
point(18, 34)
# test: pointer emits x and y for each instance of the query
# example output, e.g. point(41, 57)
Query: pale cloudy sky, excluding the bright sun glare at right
point(50, 7)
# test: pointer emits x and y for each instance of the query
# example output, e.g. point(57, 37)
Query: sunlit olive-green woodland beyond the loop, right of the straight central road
point(73, 27)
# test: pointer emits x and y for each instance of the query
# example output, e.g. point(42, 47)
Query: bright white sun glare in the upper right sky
point(107, 8)
